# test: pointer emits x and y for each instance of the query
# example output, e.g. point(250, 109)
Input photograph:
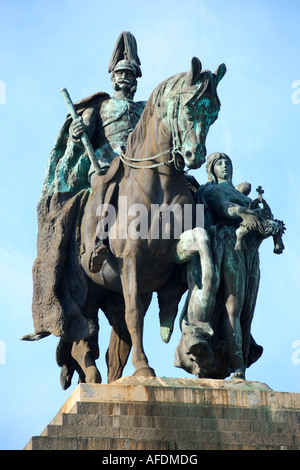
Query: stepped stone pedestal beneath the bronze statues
point(163, 414)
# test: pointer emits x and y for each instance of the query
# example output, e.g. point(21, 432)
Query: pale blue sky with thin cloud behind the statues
point(47, 45)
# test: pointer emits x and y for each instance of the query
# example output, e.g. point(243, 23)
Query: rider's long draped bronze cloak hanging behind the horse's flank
point(59, 285)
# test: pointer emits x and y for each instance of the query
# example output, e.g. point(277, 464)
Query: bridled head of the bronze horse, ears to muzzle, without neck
point(198, 106)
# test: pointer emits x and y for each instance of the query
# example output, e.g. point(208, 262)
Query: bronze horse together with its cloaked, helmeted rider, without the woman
point(139, 152)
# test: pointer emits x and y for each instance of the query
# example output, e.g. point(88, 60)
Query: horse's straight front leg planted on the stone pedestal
point(134, 315)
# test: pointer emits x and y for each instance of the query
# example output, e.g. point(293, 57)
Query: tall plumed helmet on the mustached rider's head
point(125, 55)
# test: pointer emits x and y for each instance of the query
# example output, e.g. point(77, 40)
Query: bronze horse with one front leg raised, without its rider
point(171, 133)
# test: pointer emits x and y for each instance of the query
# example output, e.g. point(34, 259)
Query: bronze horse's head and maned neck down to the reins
point(181, 109)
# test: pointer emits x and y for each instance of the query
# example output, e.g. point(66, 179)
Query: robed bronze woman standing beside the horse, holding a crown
point(223, 324)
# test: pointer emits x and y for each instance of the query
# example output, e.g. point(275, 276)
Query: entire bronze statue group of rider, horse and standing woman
point(111, 147)
